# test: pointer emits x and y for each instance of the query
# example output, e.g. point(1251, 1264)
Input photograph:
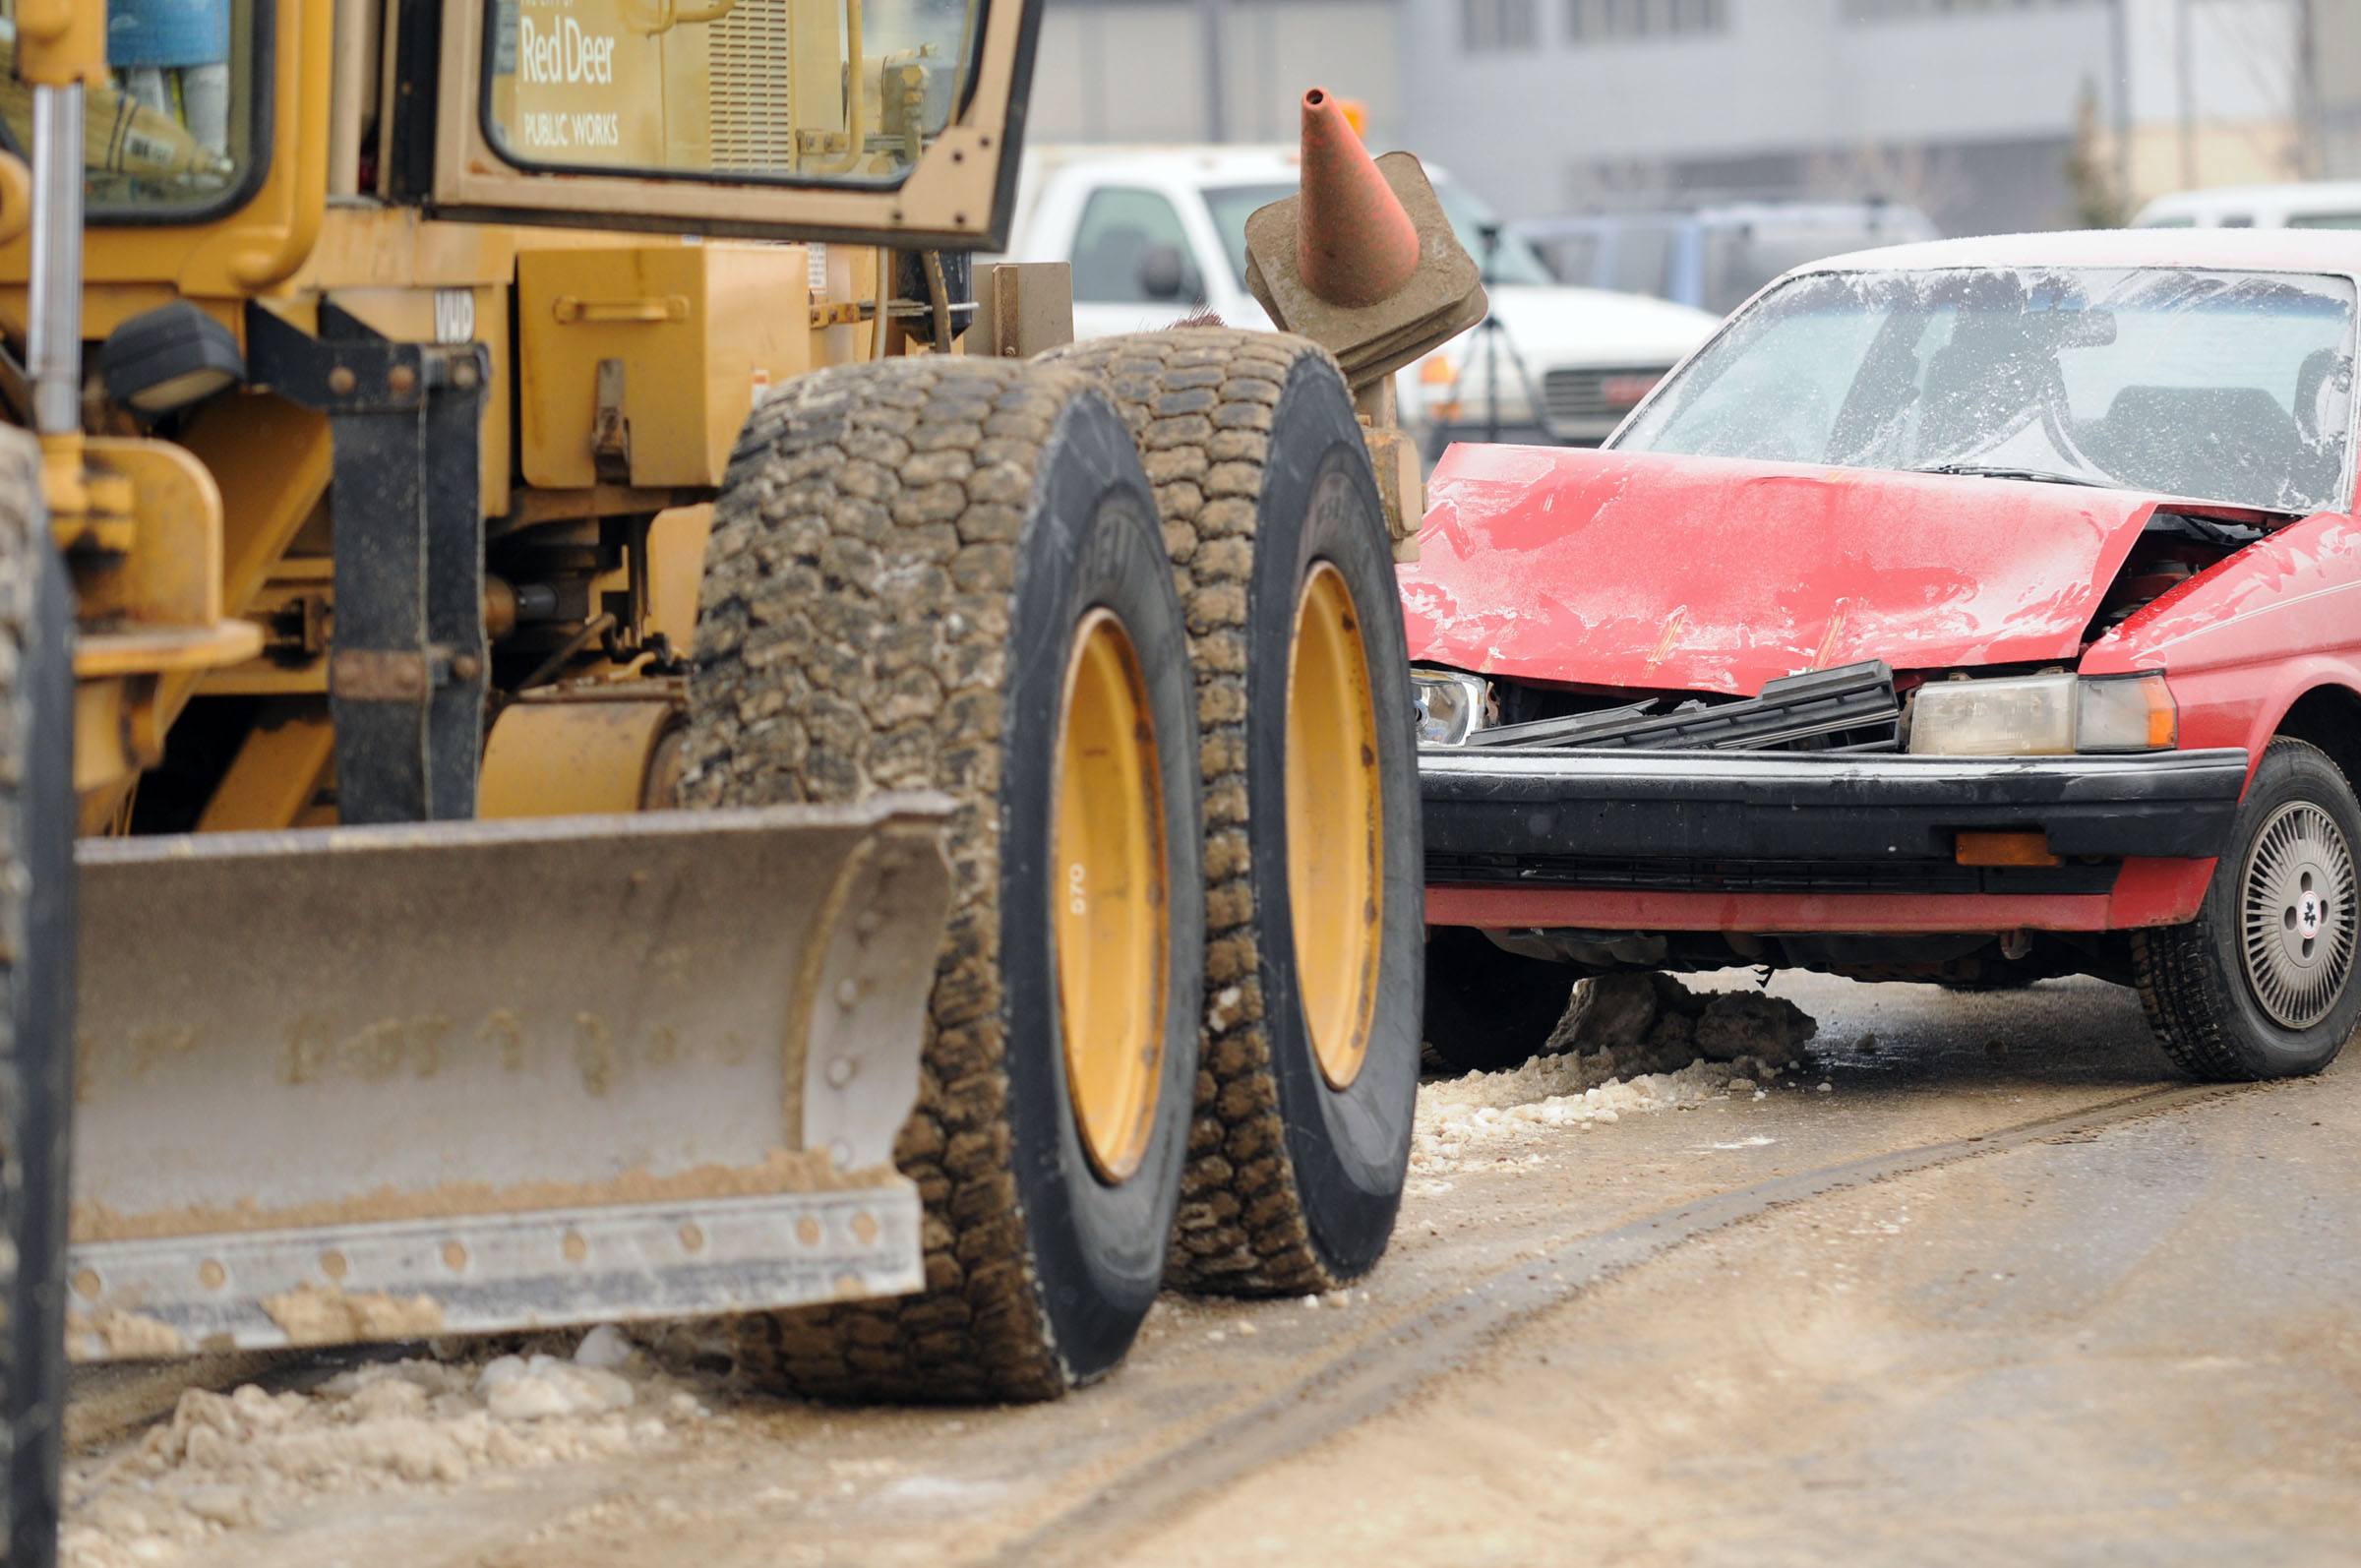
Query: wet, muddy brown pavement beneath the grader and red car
point(2001, 1293)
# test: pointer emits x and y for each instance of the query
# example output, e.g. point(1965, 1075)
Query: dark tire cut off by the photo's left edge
point(37, 1000)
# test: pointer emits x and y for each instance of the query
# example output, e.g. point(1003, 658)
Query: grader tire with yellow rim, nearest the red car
point(1314, 854)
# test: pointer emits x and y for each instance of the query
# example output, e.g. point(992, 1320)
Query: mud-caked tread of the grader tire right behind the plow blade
point(856, 639)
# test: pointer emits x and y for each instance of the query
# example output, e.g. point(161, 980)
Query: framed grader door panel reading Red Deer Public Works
point(776, 119)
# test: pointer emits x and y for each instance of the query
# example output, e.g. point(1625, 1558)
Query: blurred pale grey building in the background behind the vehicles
point(1989, 115)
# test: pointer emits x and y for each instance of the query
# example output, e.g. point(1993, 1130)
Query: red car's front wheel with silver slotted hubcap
point(2261, 986)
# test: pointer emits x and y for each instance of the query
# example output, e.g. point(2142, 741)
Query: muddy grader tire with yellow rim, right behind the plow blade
point(922, 575)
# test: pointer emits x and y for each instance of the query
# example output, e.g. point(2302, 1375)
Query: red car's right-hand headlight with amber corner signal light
point(2043, 717)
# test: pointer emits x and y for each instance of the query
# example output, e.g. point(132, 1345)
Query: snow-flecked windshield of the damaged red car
point(2216, 386)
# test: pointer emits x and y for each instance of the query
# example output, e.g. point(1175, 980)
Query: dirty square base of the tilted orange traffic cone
point(1441, 299)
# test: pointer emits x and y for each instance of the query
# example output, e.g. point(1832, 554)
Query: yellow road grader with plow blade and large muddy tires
point(596, 729)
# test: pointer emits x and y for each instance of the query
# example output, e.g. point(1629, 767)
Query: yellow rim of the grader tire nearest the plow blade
point(1108, 894)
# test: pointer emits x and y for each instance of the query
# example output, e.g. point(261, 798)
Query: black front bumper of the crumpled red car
point(1718, 821)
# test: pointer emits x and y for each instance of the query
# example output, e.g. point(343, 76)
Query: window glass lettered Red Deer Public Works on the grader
point(794, 91)
